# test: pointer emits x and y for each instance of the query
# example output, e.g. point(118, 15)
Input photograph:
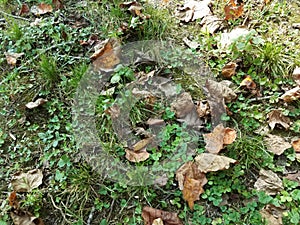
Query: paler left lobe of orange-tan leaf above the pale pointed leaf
point(214, 140)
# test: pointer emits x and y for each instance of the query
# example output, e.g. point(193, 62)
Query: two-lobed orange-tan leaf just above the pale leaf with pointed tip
point(220, 136)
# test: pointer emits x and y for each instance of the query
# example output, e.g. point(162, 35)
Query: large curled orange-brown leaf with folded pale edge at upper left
point(106, 55)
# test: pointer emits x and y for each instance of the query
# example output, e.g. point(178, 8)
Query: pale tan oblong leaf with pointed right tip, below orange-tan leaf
point(207, 162)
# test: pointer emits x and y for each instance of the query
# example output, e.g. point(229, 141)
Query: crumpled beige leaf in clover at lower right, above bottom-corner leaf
point(268, 182)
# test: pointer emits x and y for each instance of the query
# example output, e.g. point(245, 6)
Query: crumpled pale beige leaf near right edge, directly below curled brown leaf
point(276, 144)
